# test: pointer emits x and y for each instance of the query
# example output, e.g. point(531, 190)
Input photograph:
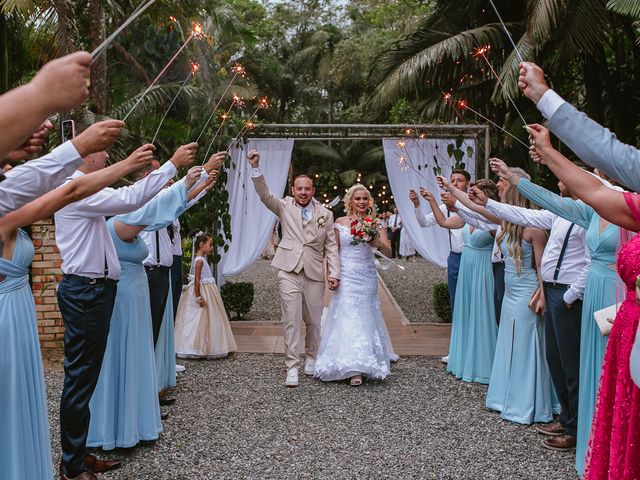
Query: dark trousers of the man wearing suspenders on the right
point(562, 345)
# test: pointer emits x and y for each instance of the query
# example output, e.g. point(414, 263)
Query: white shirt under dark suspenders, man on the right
point(576, 261)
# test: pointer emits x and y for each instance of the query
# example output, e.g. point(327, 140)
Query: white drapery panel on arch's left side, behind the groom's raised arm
point(251, 223)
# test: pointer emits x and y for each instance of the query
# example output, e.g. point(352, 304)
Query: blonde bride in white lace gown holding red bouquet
point(354, 341)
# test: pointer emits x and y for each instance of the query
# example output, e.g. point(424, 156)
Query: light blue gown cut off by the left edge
point(25, 443)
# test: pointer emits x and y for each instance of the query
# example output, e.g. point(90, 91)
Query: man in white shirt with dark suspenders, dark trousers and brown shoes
point(565, 264)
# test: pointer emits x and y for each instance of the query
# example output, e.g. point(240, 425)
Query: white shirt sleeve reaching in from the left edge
point(33, 179)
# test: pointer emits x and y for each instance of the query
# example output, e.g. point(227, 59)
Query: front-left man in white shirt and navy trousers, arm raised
point(86, 294)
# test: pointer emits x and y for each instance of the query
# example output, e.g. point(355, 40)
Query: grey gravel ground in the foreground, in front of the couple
point(234, 419)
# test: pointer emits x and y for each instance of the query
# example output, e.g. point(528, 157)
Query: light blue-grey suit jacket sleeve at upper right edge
point(597, 146)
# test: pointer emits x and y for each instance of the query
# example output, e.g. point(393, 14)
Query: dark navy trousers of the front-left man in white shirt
point(86, 311)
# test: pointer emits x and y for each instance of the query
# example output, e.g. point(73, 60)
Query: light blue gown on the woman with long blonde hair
point(520, 387)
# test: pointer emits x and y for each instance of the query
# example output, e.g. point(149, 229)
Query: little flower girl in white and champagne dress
point(202, 327)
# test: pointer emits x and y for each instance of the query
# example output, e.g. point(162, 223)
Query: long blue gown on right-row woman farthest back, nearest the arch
point(474, 330)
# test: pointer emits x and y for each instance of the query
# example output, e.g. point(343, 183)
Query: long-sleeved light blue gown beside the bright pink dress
point(599, 293)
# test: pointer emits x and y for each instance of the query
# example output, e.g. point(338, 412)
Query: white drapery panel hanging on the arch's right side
point(432, 243)
